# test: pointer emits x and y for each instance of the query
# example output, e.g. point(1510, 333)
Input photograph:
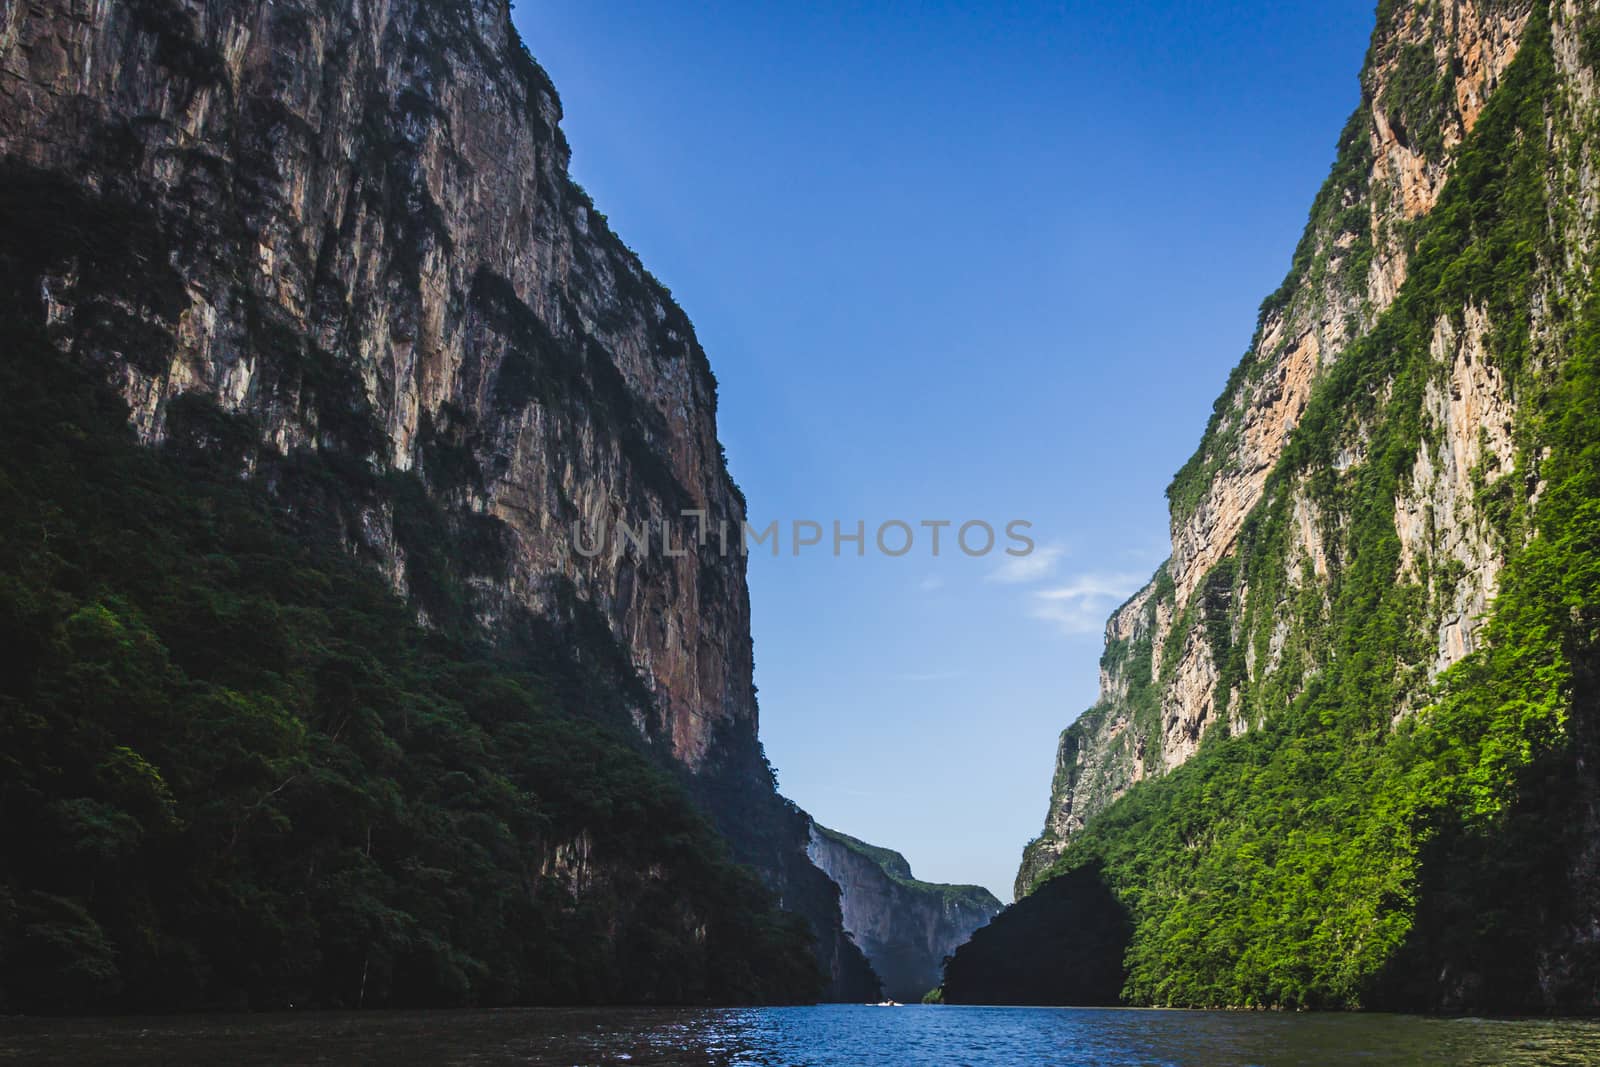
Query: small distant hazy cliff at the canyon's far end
point(906, 927)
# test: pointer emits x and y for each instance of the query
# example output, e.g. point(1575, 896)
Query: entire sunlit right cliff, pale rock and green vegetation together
point(1345, 753)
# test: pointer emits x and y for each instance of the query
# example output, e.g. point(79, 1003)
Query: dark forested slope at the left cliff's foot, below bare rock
point(236, 773)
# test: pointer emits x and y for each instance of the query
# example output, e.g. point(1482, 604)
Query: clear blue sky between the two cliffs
point(954, 265)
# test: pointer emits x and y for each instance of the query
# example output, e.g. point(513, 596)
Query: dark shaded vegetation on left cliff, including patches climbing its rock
point(236, 769)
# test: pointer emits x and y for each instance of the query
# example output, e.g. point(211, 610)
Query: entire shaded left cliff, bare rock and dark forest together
point(310, 346)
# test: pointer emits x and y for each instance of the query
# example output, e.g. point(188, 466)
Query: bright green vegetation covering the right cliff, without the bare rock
point(1340, 855)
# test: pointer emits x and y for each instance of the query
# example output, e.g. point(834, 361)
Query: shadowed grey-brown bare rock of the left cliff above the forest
point(369, 244)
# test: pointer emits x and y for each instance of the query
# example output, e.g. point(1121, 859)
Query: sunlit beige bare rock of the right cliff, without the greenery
point(1180, 660)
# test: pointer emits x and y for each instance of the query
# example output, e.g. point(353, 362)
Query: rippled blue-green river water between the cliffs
point(846, 1036)
